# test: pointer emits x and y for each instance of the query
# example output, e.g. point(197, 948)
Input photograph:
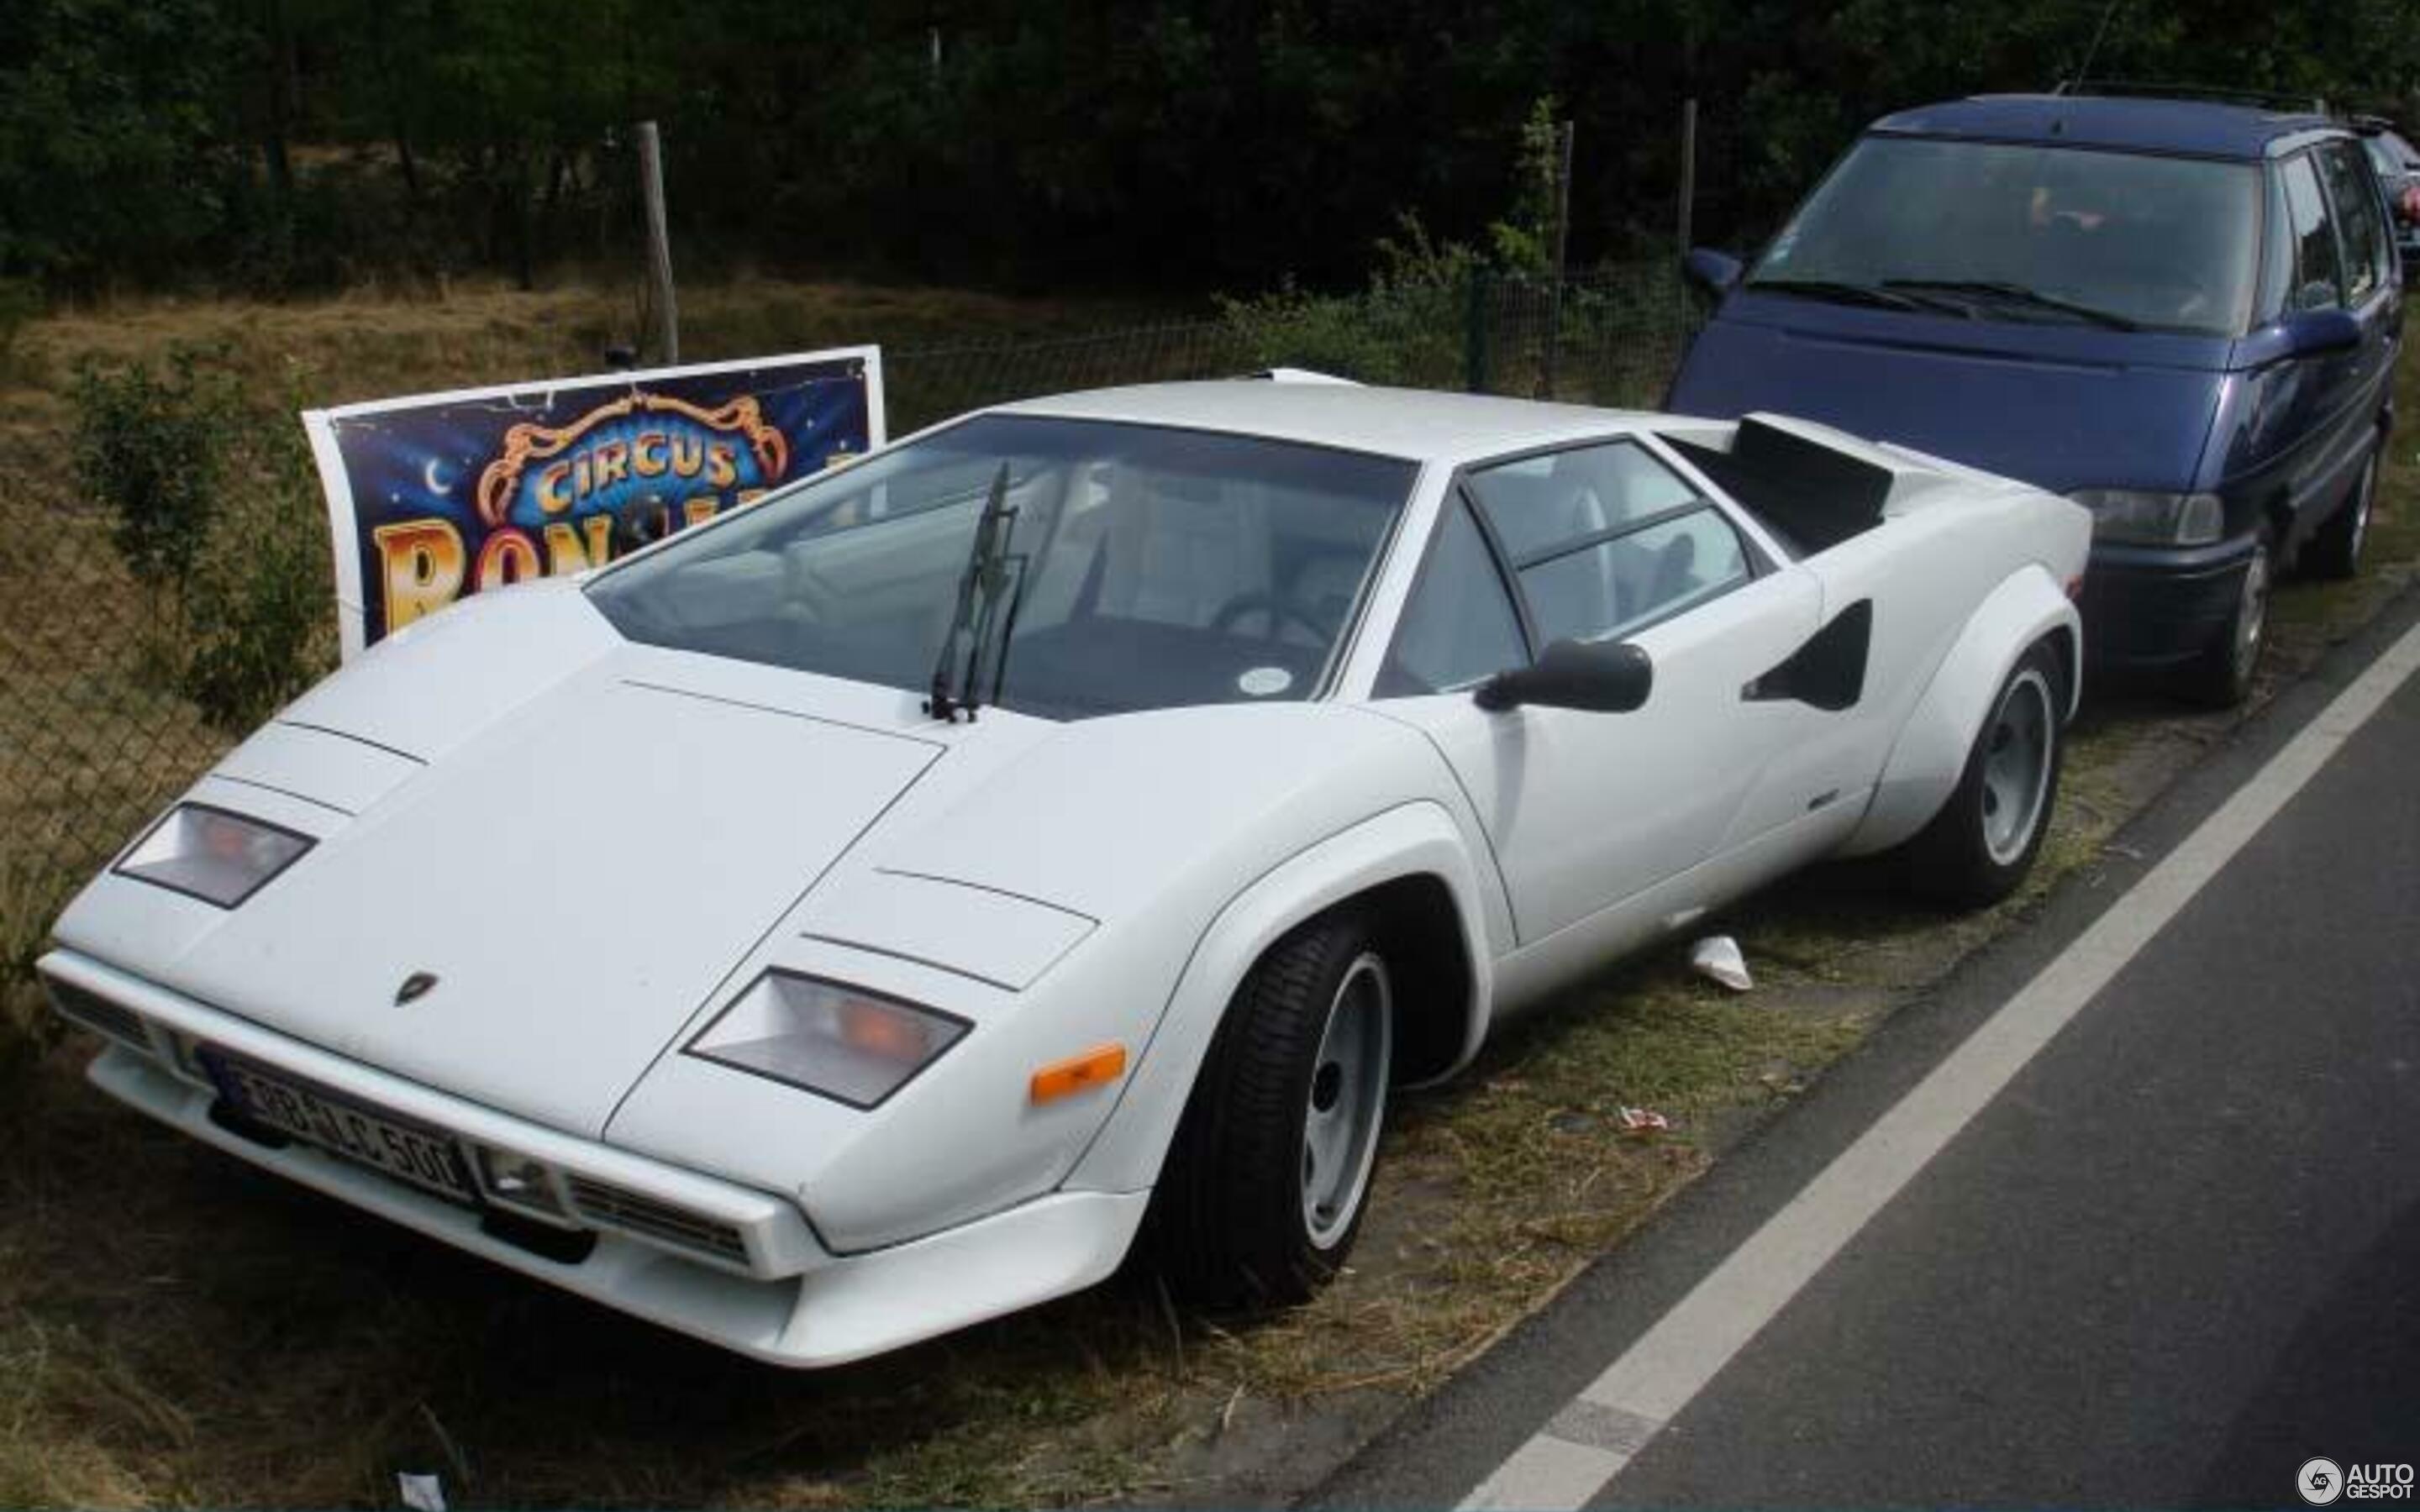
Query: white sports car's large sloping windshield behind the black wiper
point(1151, 567)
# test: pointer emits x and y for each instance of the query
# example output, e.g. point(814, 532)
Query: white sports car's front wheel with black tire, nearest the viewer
point(1233, 1220)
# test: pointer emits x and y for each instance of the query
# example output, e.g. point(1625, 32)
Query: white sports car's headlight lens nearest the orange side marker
point(822, 1037)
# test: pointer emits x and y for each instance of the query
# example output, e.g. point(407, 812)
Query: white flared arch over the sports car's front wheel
point(1407, 841)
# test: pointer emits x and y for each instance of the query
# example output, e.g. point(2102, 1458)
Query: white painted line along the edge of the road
point(1673, 1361)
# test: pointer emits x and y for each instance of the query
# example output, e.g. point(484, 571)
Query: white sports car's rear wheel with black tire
point(1988, 833)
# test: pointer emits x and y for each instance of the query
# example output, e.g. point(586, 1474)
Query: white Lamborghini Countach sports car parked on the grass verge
point(1064, 831)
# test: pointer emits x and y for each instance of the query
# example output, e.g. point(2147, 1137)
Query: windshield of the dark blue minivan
point(2024, 233)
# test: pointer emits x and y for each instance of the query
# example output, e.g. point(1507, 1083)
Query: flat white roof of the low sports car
point(1417, 425)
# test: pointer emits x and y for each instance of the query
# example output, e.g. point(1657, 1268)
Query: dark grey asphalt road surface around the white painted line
point(2172, 1259)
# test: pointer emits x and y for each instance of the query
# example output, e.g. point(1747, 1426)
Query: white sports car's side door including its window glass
point(1598, 543)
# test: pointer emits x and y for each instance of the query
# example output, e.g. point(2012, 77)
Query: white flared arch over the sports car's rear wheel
point(1932, 746)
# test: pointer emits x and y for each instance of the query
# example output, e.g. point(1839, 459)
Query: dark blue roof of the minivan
point(2143, 125)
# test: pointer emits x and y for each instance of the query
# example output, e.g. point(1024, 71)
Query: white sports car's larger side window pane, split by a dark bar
point(1606, 541)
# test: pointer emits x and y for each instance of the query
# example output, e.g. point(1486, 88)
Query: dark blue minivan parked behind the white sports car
point(2184, 316)
